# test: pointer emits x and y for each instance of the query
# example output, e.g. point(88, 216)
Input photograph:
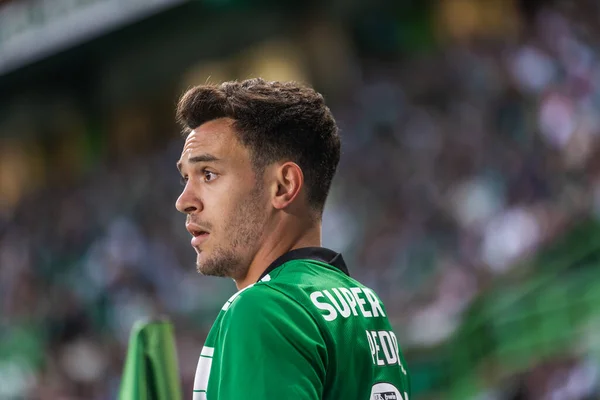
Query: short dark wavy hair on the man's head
point(276, 121)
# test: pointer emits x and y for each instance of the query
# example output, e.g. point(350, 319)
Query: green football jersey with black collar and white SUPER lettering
point(305, 330)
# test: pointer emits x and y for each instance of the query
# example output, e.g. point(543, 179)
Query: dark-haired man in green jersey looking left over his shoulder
point(257, 165)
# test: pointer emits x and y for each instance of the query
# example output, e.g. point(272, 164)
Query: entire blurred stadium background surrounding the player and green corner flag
point(468, 193)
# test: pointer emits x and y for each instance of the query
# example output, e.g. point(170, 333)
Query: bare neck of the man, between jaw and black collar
point(274, 247)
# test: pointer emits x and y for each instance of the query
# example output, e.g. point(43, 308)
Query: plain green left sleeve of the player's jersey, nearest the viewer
point(271, 349)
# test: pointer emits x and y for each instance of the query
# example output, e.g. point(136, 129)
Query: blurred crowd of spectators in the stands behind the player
point(459, 164)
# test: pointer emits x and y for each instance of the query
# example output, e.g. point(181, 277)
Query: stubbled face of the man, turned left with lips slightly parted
point(225, 202)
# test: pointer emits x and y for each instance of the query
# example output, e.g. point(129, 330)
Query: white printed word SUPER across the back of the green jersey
point(347, 302)
